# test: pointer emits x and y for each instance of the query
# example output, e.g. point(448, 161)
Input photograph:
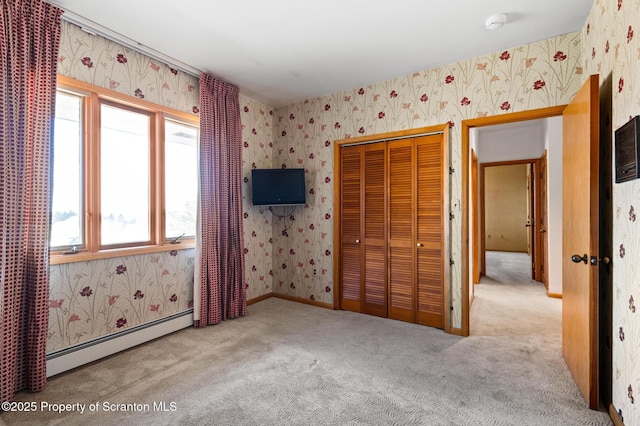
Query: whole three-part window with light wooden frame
point(124, 174)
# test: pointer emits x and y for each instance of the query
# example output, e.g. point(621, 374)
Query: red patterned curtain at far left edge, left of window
point(29, 49)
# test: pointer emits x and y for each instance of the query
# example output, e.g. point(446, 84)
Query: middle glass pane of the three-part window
point(124, 176)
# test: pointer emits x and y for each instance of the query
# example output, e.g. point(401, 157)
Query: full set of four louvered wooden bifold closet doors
point(392, 236)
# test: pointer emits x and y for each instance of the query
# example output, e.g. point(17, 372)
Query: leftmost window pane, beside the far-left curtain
point(66, 204)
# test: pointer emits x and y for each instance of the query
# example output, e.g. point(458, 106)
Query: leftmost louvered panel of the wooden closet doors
point(350, 258)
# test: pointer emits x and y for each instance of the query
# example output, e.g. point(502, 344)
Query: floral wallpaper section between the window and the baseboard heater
point(96, 298)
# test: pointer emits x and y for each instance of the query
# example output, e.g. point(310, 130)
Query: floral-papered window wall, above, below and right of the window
point(92, 299)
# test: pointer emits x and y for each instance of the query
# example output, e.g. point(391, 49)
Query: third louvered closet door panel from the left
point(402, 277)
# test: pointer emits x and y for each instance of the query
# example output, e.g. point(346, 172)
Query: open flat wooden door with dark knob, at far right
point(580, 218)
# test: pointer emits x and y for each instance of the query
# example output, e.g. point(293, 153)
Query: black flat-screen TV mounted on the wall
point(278, 187)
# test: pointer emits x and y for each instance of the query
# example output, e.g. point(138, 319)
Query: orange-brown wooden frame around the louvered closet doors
point(338, 144)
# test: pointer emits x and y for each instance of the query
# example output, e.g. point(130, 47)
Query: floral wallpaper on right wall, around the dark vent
point(611, 46)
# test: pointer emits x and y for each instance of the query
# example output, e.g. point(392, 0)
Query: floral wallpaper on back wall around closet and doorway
point(536, 75)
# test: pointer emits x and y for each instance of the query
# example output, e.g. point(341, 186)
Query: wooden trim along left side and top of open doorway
point(465, 125)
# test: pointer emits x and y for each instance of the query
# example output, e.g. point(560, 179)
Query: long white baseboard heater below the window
point(86, 352)
